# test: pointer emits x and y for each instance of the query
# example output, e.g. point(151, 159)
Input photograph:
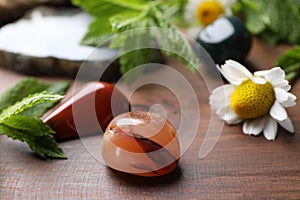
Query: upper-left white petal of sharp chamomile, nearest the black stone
point(234, 72)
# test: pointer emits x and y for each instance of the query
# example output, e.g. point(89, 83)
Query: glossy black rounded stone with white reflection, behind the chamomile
point(226, 38)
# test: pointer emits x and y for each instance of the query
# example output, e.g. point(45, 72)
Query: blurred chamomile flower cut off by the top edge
point(200, 13)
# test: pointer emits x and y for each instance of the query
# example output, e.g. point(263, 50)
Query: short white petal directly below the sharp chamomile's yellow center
point(254, 126)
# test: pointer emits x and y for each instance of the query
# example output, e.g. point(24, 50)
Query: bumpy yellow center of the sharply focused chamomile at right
point(252, 100)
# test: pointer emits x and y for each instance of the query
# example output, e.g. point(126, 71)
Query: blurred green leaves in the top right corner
point(274, 21)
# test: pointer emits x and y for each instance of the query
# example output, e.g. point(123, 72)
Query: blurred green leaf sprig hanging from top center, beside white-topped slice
point(132, 20)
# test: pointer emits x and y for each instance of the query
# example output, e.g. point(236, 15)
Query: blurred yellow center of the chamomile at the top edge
point(208, 11)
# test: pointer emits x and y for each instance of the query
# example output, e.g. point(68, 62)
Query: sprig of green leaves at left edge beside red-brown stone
point(20, 107)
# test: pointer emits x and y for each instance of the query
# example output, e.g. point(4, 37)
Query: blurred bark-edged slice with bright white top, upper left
point(46, 42)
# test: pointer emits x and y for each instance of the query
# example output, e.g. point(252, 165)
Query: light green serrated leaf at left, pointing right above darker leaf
point(29, 102)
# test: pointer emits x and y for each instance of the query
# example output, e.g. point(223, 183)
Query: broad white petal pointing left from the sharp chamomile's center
point(220, 96)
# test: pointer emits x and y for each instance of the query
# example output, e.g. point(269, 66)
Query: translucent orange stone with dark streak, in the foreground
point(141, 143)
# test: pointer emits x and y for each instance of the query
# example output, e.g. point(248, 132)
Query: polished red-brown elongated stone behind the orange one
point(96, 100)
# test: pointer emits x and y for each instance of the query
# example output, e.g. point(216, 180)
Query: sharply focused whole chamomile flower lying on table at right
point(258, 100)
